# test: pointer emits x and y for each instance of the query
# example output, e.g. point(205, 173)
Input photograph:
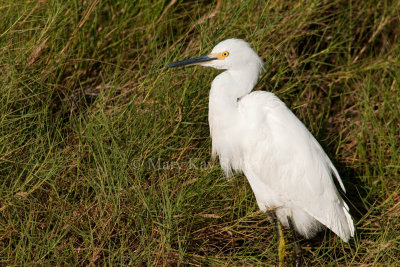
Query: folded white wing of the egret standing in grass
point(288, 159)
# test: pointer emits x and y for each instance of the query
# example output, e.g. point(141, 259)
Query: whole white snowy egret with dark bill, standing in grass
point(255, 133)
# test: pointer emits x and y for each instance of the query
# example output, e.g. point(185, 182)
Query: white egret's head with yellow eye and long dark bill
point(228, 54)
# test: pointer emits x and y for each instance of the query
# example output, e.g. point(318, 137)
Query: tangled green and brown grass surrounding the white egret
point(105, 156)
